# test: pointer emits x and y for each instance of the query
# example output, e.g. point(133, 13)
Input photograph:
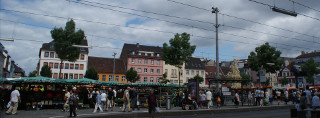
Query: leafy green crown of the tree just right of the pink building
point(178, 51)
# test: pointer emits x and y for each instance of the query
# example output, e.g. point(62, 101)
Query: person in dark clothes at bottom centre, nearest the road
point(152, 103)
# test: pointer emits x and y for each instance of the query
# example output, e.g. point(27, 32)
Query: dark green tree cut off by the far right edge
point(310, 68)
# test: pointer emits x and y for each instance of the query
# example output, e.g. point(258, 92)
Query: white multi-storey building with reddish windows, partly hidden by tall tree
point(69, 70)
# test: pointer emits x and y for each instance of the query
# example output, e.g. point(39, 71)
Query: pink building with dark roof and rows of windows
point(146, 60)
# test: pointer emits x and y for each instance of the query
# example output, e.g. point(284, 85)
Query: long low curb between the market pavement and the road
point(185, 112)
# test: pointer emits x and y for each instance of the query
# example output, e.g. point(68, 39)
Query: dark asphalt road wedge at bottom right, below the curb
point(283, 113)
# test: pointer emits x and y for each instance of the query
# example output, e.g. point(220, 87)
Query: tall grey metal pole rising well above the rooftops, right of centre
point(216, 11)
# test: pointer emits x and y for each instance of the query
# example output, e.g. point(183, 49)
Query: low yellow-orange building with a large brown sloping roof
point(104, 67)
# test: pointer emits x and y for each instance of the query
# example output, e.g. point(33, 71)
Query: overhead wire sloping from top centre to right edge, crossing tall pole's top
point(247, 20)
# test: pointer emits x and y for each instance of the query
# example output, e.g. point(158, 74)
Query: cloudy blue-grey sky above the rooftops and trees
point(109, 24)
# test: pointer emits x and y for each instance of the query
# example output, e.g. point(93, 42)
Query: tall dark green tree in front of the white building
point(64, 39)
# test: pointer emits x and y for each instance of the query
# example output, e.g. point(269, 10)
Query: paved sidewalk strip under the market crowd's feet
point(143, 112)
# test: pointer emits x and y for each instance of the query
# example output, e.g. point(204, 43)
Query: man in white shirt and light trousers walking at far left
point(14, 99)
